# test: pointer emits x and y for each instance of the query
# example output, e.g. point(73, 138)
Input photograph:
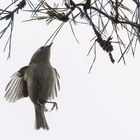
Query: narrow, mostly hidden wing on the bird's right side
point(57, 84)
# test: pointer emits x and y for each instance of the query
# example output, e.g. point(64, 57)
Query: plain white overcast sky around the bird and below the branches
point(102, 105)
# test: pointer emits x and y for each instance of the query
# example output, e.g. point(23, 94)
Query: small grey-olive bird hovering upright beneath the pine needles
point(39, 80)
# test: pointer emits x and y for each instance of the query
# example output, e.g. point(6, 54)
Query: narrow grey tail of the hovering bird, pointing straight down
point(40, 120)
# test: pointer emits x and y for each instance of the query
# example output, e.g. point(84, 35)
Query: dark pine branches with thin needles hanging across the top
point(105, 18)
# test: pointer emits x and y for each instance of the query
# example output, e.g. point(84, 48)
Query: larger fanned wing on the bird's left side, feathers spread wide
point(17, 87)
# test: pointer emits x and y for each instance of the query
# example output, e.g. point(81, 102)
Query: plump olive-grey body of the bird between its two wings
point(41, 82)
